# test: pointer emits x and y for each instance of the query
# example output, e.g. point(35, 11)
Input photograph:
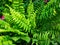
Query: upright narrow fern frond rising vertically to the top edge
point(31, 14)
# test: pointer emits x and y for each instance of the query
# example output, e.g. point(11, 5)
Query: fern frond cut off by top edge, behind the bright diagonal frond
point(18, 5)
